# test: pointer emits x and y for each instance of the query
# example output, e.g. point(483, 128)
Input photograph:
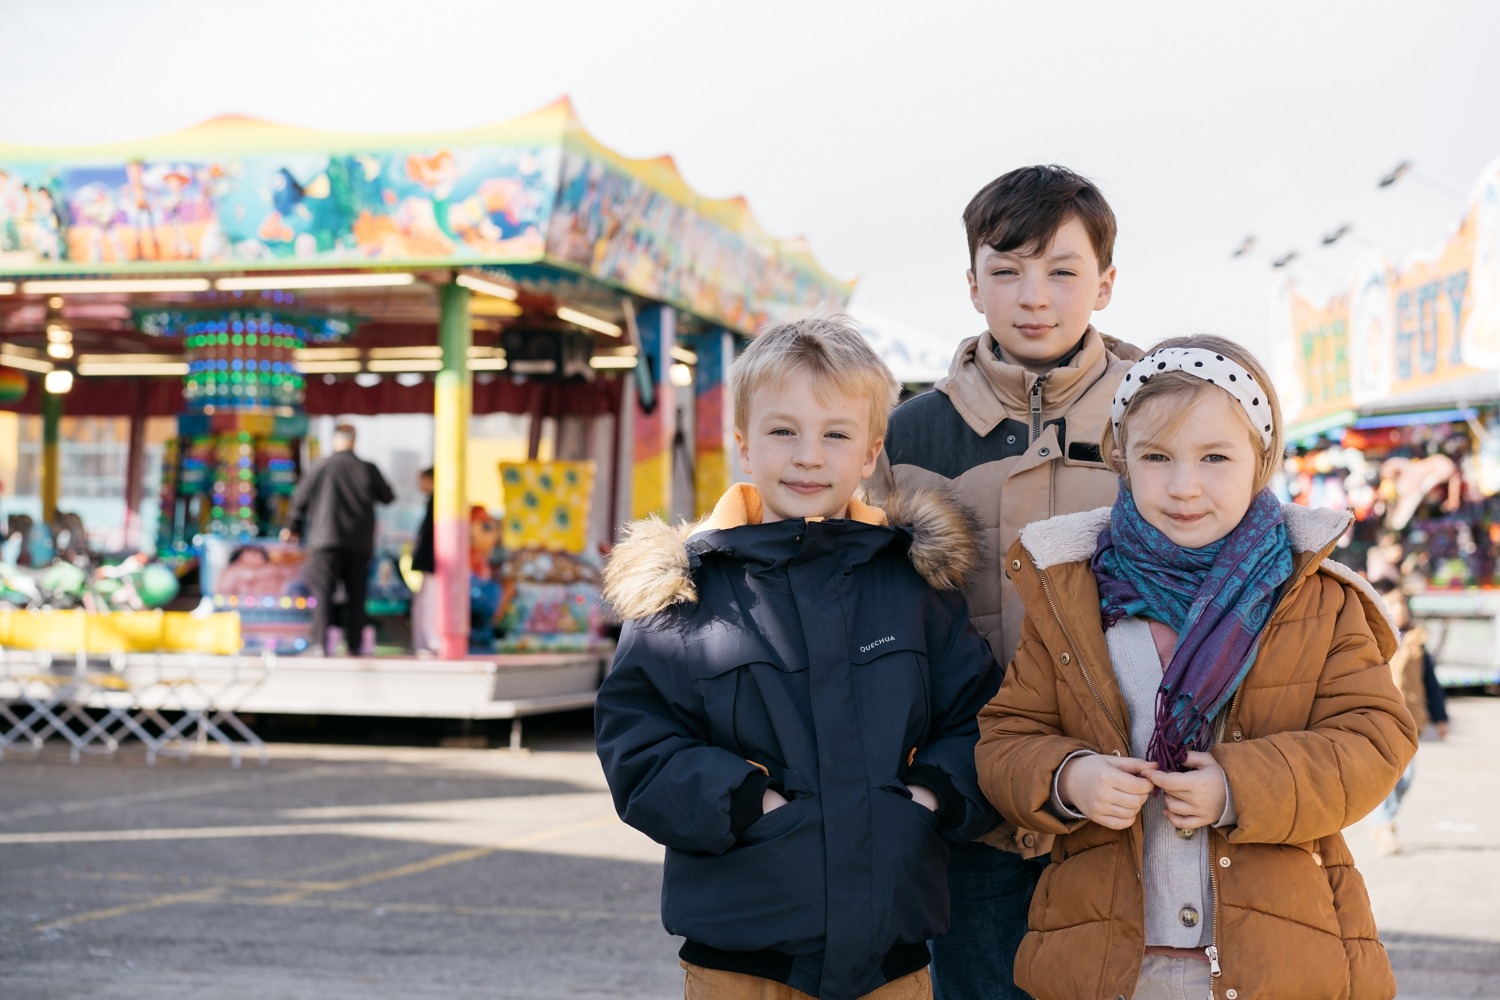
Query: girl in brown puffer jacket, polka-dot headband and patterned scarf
point(1199, 705)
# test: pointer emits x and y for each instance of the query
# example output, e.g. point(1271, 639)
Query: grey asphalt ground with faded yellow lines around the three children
point(368, 872)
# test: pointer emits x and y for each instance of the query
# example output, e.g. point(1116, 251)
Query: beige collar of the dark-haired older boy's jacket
point(986, 391)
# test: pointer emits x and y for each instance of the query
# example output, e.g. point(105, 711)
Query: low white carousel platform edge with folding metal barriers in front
point(173, 702)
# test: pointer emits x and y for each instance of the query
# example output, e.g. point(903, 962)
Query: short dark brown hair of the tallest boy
point(1024, 211)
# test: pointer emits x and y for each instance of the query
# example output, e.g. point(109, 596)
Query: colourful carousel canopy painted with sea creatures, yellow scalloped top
point(536, 206)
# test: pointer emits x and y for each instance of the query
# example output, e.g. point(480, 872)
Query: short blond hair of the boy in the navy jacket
point(830, 349)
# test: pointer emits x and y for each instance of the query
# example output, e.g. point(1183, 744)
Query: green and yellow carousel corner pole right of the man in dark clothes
point(451, 528)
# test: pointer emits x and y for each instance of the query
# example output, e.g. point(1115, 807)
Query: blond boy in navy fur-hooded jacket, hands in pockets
point(791, 710)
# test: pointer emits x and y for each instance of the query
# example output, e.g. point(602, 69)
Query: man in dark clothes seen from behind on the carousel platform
point(334, 515)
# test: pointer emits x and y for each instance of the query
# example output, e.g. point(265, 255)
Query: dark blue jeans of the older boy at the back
point(991, 893)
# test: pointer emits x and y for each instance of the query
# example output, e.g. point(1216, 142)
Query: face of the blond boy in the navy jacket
point(806, 448)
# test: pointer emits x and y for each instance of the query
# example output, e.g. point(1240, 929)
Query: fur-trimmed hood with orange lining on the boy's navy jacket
point(652, 569)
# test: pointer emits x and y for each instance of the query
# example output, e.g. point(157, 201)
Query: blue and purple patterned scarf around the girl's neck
point(1217, 599)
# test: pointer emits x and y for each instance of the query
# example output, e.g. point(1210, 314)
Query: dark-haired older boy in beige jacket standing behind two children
point(1013, 430)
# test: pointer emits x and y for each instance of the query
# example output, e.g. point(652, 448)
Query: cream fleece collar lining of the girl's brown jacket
point(1073, 539)
